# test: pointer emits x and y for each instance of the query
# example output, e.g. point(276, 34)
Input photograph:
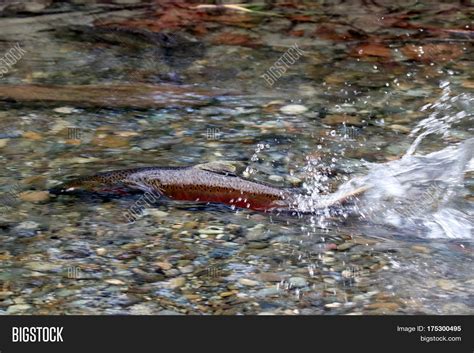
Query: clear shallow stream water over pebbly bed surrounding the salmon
point(368, 104)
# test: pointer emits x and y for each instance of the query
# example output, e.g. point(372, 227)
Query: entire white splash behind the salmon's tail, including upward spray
point(420, 195)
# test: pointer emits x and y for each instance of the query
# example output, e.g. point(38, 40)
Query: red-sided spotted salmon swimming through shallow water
point(208, 183)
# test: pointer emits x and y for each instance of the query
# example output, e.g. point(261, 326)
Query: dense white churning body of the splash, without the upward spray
point(421, 194)
